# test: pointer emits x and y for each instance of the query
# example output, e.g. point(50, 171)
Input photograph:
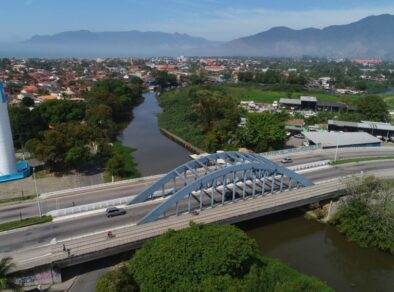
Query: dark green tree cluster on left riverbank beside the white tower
point(74, 135)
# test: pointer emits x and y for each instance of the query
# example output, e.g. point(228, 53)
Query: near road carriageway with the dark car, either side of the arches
point(98, 223)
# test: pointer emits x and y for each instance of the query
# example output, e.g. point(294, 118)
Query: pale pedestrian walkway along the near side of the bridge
point(128, 237)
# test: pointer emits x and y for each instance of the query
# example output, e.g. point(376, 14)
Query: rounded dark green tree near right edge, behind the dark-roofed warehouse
point(373, 108)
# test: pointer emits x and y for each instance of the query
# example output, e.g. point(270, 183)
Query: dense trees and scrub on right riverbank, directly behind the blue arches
point(208, 117)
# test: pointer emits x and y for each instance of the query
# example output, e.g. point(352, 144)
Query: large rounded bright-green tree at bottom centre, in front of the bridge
point(191, 255)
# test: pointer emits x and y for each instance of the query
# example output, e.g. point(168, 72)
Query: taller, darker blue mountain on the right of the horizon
point(372, 37)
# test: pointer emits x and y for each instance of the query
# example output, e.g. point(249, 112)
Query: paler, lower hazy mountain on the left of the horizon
point(124, 43)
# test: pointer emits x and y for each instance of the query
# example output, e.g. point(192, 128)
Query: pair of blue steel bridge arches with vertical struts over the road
point(217, 179)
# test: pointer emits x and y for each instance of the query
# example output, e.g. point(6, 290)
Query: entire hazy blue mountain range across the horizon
point(370, 37)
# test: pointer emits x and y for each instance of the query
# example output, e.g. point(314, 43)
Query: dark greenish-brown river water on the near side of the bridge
point(319, 250)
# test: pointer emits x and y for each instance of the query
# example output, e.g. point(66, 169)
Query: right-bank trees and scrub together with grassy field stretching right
point(208, 116)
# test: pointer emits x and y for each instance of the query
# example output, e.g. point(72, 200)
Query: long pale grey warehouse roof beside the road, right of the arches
point(342, 139)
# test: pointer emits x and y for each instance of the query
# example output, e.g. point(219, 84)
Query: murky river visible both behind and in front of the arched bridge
point(308, 246)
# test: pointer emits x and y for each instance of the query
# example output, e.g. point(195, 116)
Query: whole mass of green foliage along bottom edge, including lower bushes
point(205, 258)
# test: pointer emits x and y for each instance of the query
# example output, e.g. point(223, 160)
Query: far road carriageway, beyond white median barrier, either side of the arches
point(11, 212)
